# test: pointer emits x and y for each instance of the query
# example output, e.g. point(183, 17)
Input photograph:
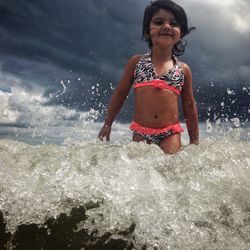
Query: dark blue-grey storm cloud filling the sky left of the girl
point(44, 42)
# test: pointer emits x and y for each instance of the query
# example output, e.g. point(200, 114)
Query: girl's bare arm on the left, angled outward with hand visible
point(118, 97)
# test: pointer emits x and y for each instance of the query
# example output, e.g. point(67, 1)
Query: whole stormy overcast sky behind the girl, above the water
point(71, 54)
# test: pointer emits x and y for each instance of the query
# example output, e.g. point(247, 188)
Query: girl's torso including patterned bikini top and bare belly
point(156, 98)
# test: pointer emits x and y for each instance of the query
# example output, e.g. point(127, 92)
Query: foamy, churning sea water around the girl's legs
point(196, 199)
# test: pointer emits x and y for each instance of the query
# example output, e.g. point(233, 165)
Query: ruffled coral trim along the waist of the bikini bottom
point(136, 127)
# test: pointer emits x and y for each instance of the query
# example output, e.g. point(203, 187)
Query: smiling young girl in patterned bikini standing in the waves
point(158, 79)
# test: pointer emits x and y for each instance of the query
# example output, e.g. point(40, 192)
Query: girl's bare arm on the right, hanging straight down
point(189, 106)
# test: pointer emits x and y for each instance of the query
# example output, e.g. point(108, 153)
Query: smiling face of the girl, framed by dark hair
point(164, 29)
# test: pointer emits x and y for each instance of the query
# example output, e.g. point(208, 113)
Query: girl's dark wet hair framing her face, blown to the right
point(180, 17)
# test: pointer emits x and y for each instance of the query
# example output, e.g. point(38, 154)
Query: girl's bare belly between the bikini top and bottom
point(155, 107)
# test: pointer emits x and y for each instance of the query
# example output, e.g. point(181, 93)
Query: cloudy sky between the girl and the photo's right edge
point(218, 55)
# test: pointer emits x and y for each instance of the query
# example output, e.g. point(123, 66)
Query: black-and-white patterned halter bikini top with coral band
point(145, 75)
